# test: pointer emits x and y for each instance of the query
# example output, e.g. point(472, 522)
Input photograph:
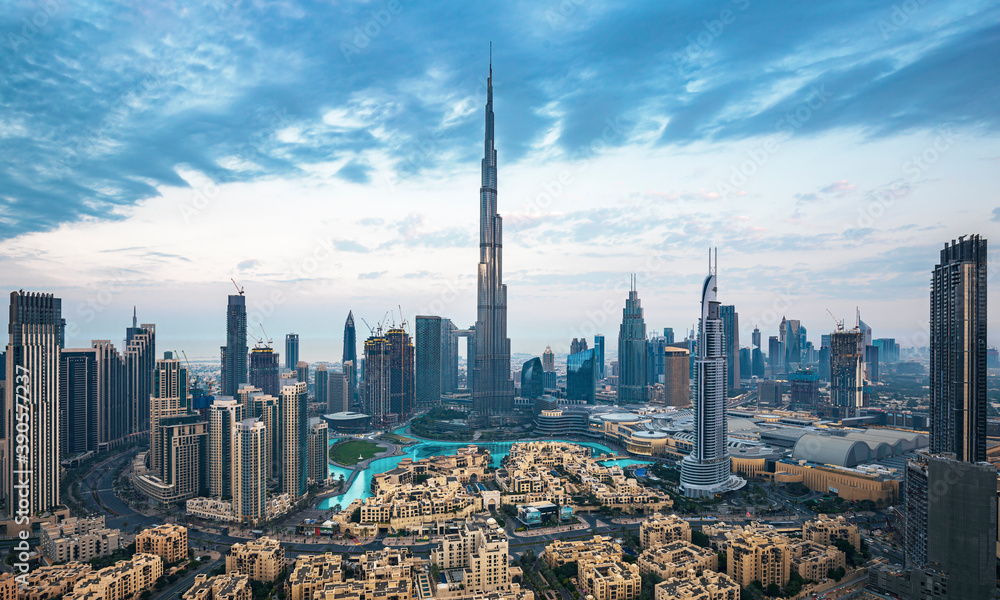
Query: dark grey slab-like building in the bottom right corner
point(951, 522)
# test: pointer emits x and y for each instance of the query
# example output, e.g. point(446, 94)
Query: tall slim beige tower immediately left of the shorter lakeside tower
point(294, 438)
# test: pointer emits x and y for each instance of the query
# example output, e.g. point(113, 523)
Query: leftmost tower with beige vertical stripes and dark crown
point(31, 398)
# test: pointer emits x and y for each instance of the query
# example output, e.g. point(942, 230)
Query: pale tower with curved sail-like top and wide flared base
point(707, 470)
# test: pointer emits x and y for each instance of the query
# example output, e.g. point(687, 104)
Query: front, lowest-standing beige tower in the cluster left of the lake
point(249, 472)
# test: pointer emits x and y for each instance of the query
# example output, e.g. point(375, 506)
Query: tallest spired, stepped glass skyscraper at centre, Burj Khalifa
point(493, 387)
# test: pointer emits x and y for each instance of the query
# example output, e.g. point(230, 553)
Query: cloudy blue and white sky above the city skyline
point(326, 156)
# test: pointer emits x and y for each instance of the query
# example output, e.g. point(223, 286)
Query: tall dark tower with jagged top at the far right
point(958, 350)
